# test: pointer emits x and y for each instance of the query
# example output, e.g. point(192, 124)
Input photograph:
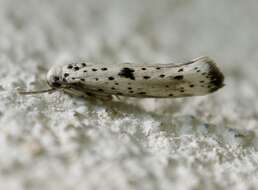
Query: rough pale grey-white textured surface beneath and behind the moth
point(53, 141)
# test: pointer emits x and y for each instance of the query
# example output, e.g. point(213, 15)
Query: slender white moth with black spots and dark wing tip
point(198, 77)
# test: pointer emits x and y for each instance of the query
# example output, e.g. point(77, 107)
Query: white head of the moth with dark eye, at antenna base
point(54, 77)
